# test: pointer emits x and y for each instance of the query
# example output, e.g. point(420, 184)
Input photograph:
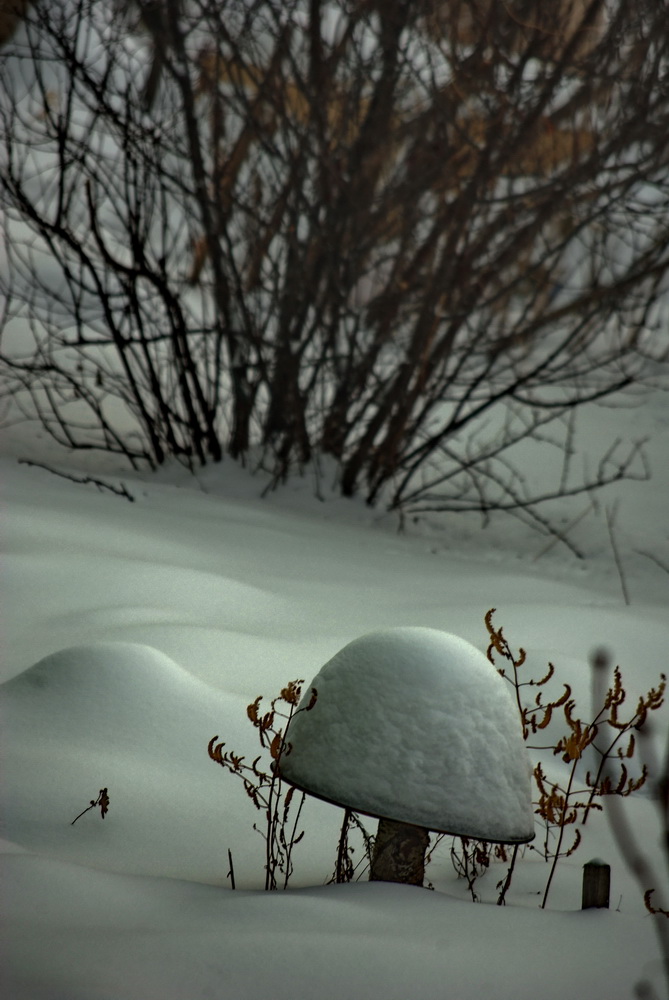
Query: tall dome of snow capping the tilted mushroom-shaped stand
point(415, 725)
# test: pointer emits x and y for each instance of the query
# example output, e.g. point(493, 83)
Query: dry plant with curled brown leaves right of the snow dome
point(610, 735)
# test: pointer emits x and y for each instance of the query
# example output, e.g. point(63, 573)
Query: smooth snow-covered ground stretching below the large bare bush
point(203, 596)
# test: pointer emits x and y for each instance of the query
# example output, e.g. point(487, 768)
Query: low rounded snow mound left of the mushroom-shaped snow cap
point(126, 717)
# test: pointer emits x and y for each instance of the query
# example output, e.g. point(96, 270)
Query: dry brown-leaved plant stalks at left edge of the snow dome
point(264, 787)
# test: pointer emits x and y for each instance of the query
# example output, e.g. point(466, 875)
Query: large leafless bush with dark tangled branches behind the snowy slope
point(403, 236)
